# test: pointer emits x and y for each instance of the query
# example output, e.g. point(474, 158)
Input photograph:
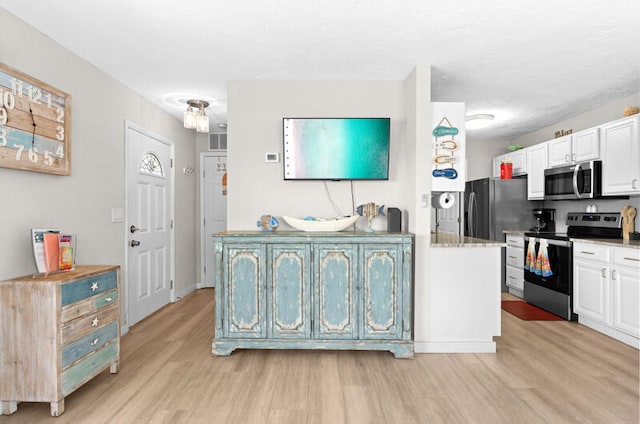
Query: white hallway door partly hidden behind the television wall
point(213, 199)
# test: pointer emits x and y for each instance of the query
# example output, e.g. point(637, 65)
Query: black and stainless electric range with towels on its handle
point(548, 272)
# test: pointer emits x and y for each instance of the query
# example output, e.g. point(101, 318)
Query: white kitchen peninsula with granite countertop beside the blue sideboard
point(464, 296)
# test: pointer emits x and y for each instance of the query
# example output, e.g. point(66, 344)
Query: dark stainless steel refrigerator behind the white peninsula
point(492, 206)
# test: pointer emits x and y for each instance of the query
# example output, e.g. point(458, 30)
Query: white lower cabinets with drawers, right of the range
point(606, 290)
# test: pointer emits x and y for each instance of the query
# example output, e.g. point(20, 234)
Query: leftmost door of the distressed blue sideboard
point(245, 314)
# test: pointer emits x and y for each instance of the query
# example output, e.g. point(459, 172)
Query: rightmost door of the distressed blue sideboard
point(382, 294)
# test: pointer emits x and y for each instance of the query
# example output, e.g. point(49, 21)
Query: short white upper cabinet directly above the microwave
point(579, 147)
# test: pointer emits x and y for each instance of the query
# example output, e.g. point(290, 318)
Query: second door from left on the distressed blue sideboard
point(290, 292)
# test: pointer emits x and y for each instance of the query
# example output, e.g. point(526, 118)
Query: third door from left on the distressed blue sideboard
point(336, 300)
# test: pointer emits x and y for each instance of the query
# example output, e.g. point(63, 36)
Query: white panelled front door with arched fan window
point(149, 223)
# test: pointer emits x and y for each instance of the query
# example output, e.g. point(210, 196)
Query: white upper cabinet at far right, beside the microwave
point(621, 157)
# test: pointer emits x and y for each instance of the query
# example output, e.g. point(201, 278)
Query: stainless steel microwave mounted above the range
point(578, 181)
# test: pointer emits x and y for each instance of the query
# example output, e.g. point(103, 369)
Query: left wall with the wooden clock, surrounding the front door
point(82, 203)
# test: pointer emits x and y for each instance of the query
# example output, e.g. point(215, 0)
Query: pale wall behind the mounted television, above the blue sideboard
point(255, 113)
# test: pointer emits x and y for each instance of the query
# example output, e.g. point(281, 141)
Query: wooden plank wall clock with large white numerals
point(35, 124)
